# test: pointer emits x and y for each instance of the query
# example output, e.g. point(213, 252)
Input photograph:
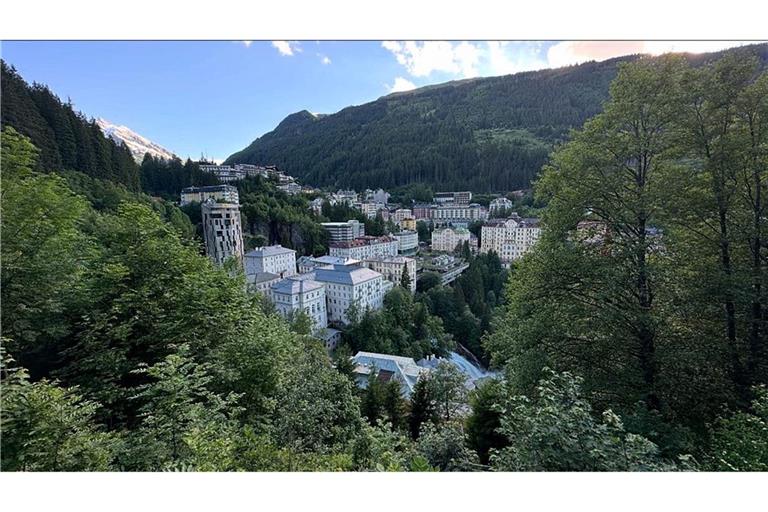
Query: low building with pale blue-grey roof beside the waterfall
point(403, 370)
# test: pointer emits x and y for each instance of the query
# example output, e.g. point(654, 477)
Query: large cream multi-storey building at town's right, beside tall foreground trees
point(509, 238)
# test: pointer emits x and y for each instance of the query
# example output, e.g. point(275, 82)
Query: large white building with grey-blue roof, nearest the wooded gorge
point(350, 284)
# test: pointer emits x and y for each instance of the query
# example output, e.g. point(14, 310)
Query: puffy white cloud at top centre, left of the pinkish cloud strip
point(423, 58)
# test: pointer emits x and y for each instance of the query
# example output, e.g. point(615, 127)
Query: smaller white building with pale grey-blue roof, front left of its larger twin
point(291, 296)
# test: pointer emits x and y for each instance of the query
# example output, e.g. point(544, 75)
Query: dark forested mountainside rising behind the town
point(480, 134)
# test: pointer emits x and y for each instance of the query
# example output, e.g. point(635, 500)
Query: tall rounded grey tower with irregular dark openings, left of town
point(222, 231)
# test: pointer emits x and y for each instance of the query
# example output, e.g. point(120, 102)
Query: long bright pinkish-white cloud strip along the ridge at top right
point(567, 53)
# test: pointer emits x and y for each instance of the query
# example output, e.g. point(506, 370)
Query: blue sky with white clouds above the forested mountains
point(215, 97)
